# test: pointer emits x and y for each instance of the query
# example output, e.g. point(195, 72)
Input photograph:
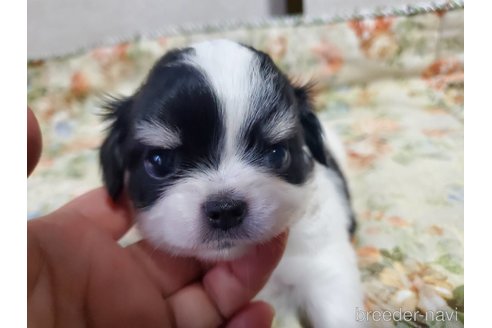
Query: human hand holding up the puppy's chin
point(78, 275)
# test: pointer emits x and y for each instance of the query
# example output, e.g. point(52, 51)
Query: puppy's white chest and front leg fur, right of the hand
point(318, 272)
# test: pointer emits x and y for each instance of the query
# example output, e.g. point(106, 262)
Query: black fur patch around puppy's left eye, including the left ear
point(178, 96)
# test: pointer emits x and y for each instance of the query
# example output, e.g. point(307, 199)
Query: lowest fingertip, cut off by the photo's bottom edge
point(256, 314)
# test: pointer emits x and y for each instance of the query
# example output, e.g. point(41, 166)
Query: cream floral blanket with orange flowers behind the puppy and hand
point(390, 84)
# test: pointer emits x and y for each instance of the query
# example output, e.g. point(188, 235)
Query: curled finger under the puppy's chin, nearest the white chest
point(231, 285)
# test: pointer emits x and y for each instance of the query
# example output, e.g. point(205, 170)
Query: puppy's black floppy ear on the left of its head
point(112, 155)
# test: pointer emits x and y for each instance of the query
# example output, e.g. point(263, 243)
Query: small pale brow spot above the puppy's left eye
point(153, 133)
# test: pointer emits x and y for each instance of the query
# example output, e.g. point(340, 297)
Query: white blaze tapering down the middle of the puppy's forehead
point(232, 71)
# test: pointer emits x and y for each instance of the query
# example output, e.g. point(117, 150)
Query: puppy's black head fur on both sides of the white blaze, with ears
point(179, 96)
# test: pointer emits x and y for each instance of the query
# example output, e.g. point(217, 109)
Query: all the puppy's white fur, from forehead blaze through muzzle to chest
point(318, 272)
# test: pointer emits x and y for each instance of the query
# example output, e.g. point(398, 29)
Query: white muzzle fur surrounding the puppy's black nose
point(175, 221)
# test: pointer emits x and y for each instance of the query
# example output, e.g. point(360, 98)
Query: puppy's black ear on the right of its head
point(313, 133)
